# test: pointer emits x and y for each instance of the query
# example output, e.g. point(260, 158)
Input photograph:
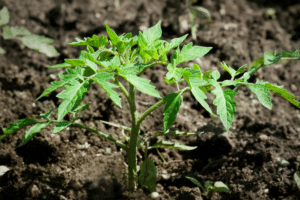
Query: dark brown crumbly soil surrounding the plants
point(245, 158)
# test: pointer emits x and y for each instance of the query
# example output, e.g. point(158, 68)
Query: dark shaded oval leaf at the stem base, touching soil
point(147, 176)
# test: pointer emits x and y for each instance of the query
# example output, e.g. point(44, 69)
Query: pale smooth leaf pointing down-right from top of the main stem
point(142, 85)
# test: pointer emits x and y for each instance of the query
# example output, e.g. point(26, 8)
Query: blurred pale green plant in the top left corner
point(36, 42)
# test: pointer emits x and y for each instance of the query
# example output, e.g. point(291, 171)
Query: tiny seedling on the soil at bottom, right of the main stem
point(211, 189)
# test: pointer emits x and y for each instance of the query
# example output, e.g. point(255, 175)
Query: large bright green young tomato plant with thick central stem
point(106, 62)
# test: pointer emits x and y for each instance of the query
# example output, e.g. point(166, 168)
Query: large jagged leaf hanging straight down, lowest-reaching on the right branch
point(224, 102)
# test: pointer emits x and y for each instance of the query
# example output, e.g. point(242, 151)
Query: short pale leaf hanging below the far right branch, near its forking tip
point(262, 93)
